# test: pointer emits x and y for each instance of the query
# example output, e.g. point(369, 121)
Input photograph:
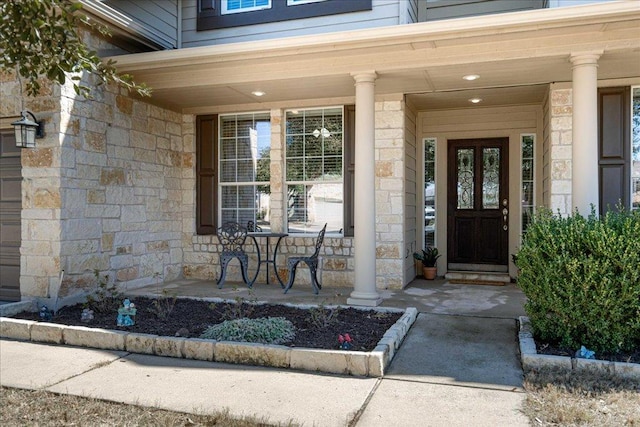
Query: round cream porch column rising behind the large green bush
point(584, 177)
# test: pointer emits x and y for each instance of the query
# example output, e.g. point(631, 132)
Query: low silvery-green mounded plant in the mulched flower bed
point(265, 330)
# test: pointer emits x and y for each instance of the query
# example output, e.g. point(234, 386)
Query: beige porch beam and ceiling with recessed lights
point(515, 56)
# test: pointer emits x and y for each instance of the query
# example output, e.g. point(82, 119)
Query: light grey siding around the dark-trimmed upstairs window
point(383, 13)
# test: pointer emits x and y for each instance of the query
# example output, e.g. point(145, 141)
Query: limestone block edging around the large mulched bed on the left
point(357, 363)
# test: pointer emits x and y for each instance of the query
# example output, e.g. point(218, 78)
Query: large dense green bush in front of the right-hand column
point(581, 277)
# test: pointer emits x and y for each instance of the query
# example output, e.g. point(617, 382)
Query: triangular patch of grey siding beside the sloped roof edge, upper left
point(160, 16)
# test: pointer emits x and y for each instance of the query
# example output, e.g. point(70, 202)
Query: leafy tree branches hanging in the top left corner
point(45, 38)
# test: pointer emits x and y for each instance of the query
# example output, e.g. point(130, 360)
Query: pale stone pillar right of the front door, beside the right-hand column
point(560, 145)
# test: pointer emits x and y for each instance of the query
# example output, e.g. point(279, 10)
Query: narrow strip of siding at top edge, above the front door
point(432, 10)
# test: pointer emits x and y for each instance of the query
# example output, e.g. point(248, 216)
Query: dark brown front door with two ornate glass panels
point(478, 204)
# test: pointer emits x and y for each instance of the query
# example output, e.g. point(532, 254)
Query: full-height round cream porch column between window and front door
point(364, 290)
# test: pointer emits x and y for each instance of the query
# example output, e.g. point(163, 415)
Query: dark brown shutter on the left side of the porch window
point(206, 178)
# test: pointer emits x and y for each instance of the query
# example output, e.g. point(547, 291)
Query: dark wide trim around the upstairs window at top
point(210, 16)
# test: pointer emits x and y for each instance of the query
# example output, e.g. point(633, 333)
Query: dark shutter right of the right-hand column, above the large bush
point(614, 146)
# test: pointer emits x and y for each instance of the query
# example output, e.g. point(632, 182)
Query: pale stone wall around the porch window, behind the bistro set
point(337, 265)
